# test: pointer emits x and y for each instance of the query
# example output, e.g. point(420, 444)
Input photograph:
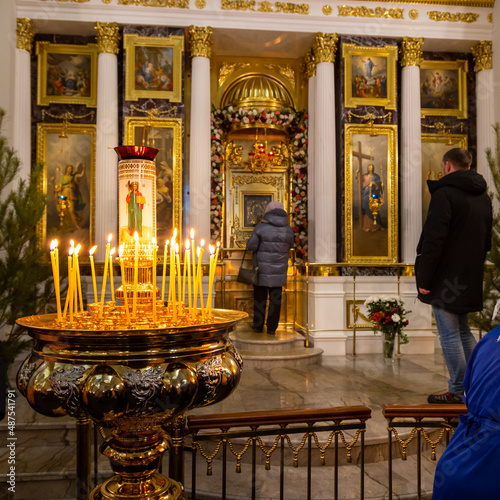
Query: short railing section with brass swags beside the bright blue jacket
point(421, 419)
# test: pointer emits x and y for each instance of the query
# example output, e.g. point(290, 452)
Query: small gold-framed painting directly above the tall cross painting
point(370, 75)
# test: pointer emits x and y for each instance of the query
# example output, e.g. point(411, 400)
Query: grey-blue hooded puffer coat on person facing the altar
point(270, 241)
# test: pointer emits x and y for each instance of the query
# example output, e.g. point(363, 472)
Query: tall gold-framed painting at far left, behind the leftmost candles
point(68, 154)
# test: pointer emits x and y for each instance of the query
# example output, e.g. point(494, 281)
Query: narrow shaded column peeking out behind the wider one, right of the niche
point(311, 140)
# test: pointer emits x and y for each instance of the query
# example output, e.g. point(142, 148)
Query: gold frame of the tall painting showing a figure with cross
point(366, 134)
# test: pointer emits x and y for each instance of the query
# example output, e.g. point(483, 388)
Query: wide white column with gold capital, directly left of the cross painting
point(324, 179)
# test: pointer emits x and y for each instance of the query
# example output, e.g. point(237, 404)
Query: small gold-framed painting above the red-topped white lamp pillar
point(153, 67)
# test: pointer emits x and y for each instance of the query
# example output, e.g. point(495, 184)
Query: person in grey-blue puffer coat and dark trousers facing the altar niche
point(270, 242)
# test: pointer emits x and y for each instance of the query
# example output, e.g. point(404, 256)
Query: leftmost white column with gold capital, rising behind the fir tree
point(22, 97)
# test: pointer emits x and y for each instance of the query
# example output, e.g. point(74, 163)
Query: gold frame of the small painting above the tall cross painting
point(386, 56)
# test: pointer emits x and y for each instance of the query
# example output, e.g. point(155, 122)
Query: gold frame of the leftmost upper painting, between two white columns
point(43, 50)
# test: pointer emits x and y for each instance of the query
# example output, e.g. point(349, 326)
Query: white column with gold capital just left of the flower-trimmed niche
point(199, 144)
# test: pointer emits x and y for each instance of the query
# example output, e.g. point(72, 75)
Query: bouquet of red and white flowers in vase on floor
point(388, 316)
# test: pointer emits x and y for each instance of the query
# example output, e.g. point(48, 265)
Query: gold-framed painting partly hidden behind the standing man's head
point(434, 146)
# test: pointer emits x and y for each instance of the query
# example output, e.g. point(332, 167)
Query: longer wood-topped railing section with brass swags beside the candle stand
point(238, 433)
